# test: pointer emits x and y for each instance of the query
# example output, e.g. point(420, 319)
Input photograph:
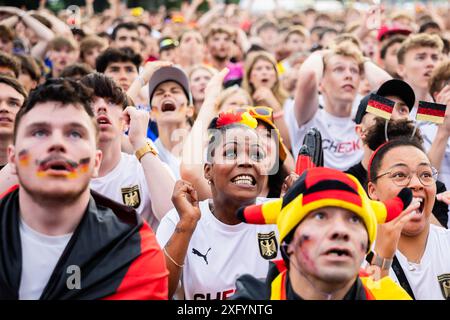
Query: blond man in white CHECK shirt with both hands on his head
point(337, 73)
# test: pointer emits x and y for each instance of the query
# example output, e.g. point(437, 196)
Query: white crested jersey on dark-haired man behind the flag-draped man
point(126, 184)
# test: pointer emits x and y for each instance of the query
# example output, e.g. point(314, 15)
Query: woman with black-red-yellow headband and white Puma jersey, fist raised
point(204, 242)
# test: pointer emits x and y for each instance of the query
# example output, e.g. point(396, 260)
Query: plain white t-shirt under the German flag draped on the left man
point(40, 254)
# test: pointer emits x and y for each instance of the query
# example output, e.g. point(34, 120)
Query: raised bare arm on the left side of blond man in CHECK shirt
point(306, 94)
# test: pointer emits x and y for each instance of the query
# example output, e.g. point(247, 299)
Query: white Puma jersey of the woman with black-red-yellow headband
point(219, 253)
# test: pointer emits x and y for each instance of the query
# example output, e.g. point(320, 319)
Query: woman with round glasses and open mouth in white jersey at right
point(418, 251)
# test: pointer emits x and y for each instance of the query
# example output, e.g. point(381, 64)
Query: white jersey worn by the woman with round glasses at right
point(429, 279)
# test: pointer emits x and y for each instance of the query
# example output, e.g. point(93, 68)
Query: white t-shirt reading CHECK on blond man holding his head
point(341, 145)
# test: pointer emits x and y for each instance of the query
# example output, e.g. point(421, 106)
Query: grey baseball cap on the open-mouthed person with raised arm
point(165, 74)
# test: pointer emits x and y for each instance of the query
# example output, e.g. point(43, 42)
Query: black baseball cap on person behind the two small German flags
point(393, 87)
